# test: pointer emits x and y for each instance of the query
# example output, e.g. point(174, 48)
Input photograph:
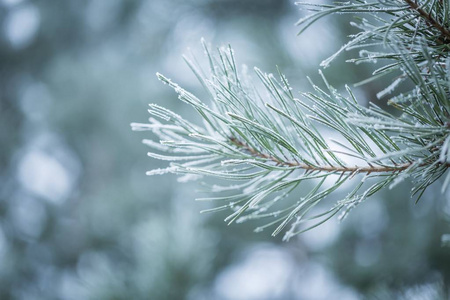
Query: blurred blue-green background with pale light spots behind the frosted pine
point(80, 220)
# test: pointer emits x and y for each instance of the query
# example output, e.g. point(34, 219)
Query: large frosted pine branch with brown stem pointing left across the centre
point(239, 123)
